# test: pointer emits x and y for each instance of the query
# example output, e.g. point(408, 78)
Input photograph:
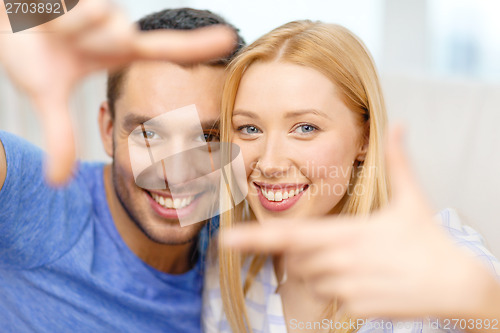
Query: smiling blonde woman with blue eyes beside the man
point(304, 105)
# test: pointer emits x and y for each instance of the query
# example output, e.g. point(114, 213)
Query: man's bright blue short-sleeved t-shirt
point(65, 268)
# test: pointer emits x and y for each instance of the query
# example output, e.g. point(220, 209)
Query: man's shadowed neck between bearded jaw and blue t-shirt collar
point(172, 259)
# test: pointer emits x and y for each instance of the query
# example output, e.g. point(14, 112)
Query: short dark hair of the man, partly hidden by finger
point(179, 19)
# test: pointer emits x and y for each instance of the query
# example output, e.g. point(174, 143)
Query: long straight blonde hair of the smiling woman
point(339, 55)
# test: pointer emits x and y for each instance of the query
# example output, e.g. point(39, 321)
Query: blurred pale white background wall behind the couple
point(440, 66)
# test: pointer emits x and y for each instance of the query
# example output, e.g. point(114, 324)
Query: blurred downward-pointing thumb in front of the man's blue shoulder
point(59, 138)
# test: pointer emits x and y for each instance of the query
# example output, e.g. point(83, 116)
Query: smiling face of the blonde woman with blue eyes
point(298, 139)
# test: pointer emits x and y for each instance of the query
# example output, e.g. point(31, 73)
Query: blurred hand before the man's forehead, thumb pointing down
point(47, 62)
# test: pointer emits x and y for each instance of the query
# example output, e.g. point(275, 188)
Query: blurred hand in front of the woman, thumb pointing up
point(397, 262)
